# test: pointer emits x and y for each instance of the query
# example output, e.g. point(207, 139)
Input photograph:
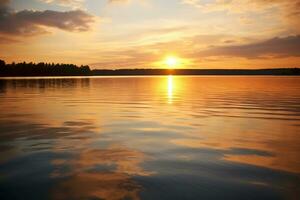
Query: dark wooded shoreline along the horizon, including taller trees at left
point(52, 70)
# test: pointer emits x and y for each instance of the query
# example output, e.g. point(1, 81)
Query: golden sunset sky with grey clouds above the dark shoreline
point(144, 33)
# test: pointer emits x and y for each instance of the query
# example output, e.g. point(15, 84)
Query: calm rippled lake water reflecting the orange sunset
point(150, 138)
